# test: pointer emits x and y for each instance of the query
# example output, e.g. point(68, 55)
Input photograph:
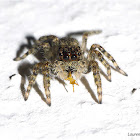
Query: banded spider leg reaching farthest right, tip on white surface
point(94, 46)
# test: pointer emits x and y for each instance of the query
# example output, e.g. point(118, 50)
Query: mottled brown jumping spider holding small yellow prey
point(64, 58)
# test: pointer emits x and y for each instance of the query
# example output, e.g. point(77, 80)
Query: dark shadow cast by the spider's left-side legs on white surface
point(24, 69)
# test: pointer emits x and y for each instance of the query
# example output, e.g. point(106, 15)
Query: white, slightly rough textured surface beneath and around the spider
point(72, 115)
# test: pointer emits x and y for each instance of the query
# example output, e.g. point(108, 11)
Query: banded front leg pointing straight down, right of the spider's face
point(97, 79)
